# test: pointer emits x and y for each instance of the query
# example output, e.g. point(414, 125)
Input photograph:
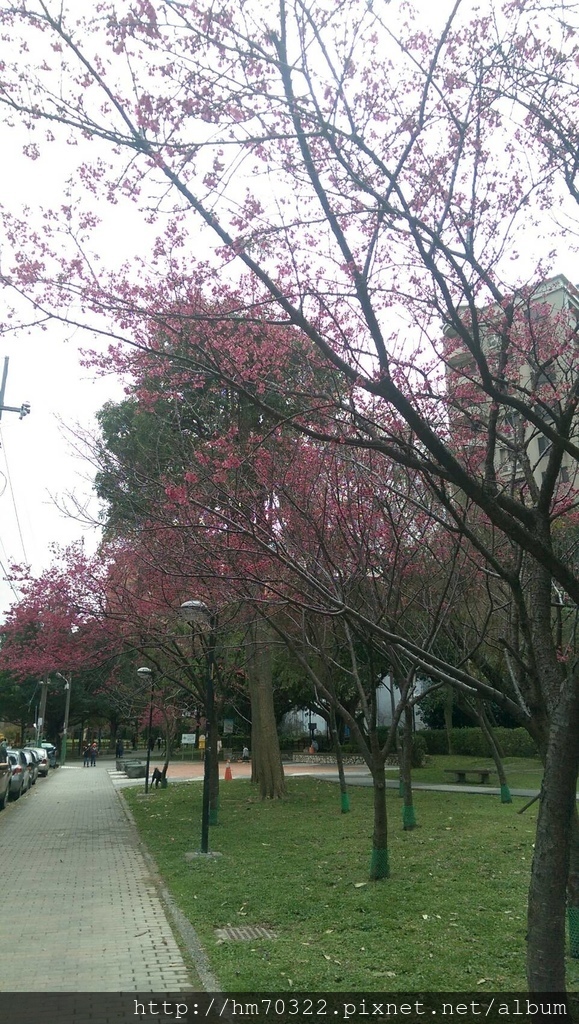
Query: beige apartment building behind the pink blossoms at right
point(531, 353)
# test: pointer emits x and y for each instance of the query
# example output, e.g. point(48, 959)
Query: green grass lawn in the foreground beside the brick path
point(451, 917)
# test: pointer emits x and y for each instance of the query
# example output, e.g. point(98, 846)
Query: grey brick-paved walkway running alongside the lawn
point(81, 911)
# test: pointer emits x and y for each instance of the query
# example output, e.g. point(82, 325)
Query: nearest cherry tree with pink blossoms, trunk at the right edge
point(367, 186)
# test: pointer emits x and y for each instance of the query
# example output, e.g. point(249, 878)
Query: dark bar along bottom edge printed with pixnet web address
point(285, 1008)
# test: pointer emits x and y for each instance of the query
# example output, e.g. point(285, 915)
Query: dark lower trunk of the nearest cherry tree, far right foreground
point(546, 954)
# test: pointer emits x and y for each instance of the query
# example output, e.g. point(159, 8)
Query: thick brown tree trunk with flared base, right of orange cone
point(267, 769)
